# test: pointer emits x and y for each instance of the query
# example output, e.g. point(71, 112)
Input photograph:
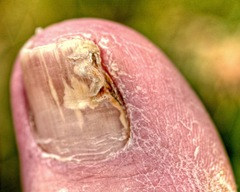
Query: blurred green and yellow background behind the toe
point(202, 38)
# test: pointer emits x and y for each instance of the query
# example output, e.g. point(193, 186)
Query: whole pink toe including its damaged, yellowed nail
point(97, 107)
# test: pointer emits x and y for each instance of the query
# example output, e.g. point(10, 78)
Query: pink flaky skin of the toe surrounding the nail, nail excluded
point(174, 145)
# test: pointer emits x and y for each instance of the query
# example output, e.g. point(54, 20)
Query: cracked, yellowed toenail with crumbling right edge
point(76, 110)
